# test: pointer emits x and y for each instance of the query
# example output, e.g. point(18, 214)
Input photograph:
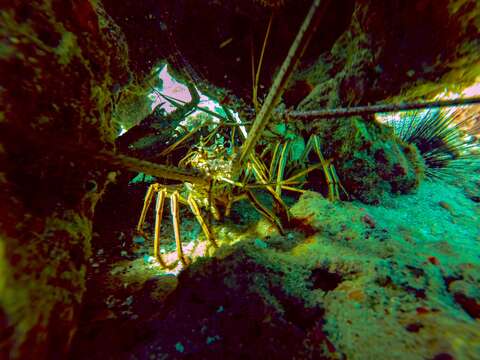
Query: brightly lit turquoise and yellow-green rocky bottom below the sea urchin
point(403, 286)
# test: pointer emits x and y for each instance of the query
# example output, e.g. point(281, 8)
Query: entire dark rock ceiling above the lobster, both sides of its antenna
point(363, 51)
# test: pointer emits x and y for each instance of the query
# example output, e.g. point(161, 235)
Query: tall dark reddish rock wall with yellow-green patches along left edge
point(59, 63)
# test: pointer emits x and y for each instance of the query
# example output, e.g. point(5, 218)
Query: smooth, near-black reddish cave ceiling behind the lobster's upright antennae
point(214, 39)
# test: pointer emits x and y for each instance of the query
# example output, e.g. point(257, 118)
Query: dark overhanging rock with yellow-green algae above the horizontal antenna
point(393, 46)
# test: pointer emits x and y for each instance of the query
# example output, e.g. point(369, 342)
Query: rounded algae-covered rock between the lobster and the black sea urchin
point(370, 161)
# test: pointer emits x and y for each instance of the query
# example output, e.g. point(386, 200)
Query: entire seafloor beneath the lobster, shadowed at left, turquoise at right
point(350, 281)
